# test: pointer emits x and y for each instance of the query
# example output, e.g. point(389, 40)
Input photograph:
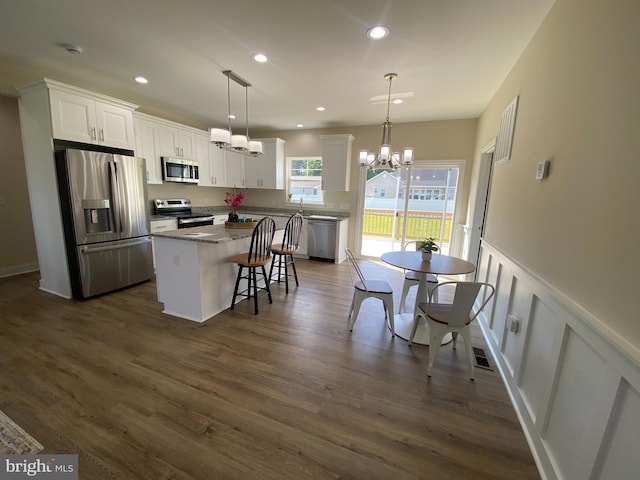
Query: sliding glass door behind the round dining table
point(410, 203)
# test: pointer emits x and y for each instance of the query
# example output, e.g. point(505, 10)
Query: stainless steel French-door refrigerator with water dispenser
point(103, 197)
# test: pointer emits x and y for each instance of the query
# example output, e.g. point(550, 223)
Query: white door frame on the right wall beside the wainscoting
point(477, 221)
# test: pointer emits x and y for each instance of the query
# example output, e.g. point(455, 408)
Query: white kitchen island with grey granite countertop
point(194, 278)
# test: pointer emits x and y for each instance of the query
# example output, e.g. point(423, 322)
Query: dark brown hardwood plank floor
point(287, 394)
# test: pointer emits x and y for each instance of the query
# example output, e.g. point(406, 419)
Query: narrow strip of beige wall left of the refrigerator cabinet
point(17, 242)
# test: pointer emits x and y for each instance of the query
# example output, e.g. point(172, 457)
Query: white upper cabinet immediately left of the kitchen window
point(266, 170)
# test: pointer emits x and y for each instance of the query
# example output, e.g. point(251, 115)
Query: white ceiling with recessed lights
point(450, 55)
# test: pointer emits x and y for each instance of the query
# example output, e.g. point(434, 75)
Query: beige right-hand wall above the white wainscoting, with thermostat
point(579, 107)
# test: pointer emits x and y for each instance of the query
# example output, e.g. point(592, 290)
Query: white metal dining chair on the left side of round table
point(368, 288)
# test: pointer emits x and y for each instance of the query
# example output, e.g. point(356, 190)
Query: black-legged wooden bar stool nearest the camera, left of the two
point(258, 256)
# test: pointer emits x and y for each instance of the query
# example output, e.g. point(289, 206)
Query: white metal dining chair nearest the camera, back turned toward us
point(454, 318)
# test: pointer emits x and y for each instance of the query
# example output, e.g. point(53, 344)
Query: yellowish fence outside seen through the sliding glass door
point(420, 224)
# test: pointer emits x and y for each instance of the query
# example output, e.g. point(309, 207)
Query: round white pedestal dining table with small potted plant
point(438, 265)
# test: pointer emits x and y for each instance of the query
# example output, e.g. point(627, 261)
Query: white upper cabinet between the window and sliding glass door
point(336, 162)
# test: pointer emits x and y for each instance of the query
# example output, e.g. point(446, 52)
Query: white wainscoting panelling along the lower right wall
point(575, 387)
